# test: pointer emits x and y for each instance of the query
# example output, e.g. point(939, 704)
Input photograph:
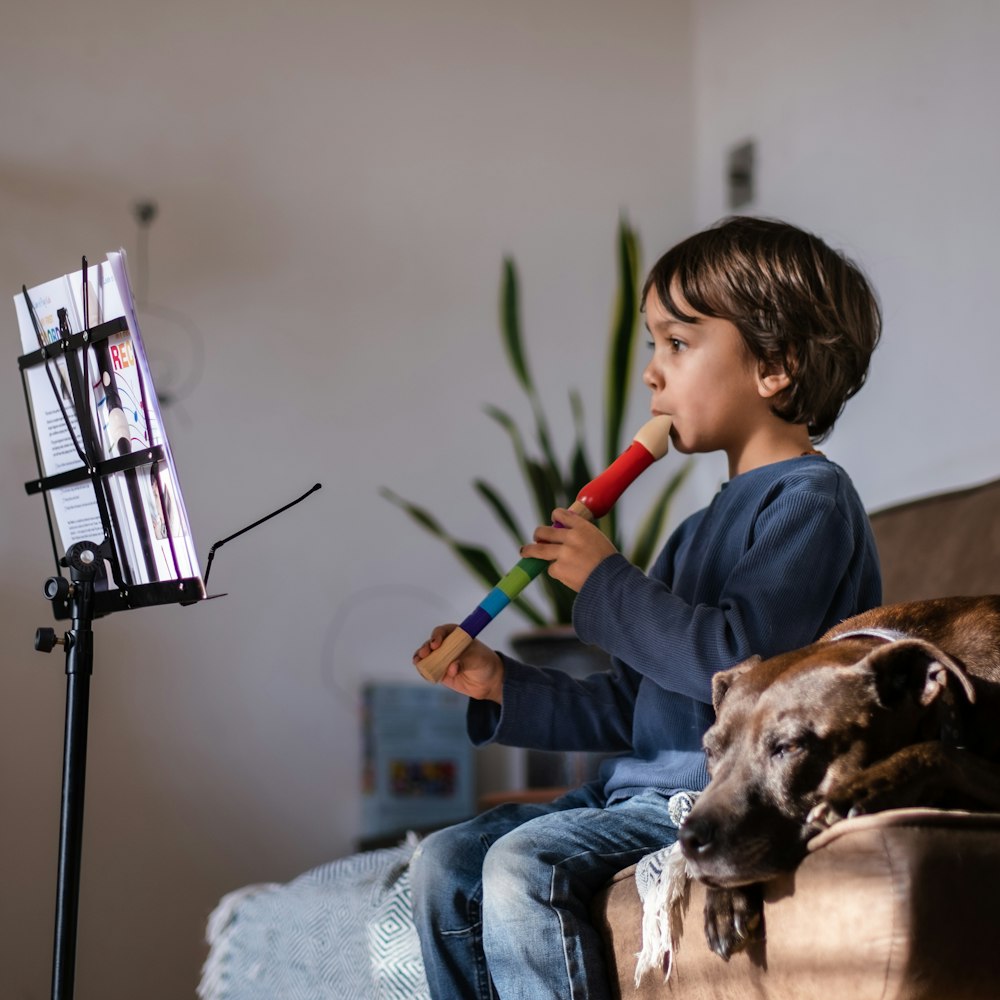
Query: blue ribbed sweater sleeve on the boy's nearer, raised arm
point(776, 596)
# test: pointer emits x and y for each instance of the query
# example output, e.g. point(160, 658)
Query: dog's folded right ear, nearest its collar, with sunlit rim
point(915, 670)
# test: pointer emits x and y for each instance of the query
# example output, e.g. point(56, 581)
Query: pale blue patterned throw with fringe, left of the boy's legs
point(339, 932)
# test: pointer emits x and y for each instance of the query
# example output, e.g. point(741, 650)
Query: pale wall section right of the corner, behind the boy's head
point(876, 126)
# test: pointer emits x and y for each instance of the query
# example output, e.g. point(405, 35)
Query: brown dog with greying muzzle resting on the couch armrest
point(899, 706)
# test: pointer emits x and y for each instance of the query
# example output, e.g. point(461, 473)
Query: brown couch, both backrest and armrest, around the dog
point(904, 905)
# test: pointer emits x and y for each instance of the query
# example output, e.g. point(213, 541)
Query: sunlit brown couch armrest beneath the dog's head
point(898, 905)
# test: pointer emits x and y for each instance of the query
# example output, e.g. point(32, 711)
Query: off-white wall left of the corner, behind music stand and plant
point(337, 184)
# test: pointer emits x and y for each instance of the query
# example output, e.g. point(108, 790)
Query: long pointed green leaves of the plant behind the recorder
point(554, 481)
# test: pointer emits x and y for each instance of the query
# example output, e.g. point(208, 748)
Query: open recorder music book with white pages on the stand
point(153, 533)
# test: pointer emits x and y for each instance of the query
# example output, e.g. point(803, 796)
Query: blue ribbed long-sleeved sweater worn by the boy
point(781, 554)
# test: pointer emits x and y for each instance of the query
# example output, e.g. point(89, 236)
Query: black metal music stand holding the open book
point(112, 574)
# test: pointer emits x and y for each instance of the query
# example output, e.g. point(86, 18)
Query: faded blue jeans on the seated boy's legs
point(502, 902)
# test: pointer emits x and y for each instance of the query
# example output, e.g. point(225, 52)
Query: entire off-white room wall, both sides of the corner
point(337, 186)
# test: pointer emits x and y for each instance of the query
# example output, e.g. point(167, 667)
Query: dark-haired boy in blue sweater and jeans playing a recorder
point(760, 334)
